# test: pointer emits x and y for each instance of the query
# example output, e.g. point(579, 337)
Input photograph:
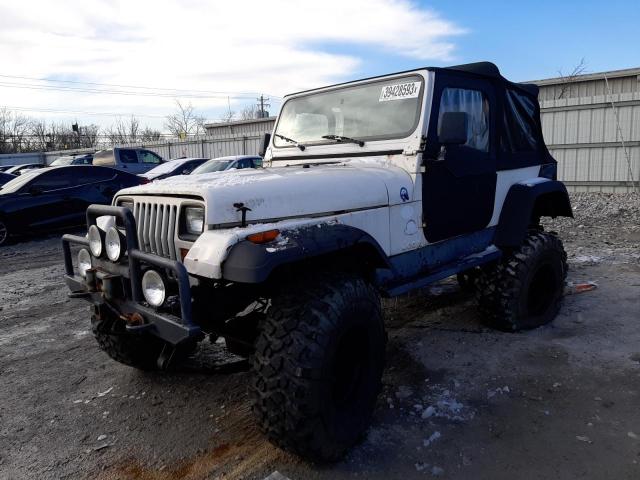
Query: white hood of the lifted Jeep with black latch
point(285, 192)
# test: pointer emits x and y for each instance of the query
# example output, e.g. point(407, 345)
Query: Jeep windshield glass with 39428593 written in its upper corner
point(373, 111)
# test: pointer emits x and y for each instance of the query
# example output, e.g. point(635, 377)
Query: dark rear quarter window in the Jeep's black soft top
point(520, 124)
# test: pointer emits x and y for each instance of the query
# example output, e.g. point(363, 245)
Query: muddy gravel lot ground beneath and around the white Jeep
point(460, 401)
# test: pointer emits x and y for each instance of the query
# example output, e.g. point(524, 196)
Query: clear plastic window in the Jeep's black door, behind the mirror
point(476, 105)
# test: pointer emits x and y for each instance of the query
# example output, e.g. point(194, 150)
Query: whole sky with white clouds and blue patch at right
point(216, 54)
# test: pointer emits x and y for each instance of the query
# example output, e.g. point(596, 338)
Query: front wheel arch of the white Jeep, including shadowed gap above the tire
point(326, 244)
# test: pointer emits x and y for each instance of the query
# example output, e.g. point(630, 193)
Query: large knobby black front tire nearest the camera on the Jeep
point(318, 365)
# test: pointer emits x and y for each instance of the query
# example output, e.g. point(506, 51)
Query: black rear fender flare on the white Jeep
point(525, 203)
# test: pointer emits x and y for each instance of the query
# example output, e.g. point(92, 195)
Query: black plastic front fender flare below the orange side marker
point(248, 262)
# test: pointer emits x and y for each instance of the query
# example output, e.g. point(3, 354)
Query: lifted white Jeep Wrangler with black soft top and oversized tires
point(372, 188)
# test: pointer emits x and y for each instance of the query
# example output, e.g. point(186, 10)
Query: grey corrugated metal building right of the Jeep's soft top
point(591, 124)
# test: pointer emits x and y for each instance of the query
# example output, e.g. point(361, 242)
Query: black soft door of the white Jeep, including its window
point(459, 181)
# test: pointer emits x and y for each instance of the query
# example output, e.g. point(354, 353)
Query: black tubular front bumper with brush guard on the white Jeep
point(127, 302)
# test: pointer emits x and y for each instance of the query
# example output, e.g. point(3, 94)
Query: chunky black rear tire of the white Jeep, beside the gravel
point(524, 290)
